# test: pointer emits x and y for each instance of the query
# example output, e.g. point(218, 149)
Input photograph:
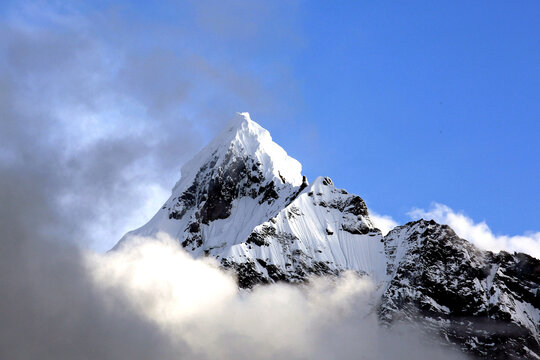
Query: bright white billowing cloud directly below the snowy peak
point(199, 307)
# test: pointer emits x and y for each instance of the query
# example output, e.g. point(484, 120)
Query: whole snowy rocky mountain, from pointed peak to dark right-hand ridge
point(244, 201)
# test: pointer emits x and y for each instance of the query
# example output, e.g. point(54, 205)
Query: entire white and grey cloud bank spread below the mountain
point(152, 300)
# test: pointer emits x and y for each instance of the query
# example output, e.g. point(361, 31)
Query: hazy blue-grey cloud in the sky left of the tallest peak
point(106, 106)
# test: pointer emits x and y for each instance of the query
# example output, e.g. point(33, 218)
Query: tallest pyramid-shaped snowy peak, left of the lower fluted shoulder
point(238, 181)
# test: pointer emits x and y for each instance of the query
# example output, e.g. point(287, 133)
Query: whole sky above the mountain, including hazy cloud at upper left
point(403, 104)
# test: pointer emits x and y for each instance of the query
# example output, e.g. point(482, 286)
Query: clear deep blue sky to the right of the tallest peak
point(416, 102)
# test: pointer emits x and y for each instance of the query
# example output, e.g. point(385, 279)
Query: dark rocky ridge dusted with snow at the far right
point(472, 297)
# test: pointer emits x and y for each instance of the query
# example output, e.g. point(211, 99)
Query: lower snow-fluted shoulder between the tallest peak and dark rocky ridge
point(324, 230)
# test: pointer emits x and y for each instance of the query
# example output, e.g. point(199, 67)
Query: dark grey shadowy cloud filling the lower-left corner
point(49, 306)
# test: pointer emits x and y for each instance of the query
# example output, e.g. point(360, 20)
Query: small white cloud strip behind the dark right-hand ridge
point(479, 233)
